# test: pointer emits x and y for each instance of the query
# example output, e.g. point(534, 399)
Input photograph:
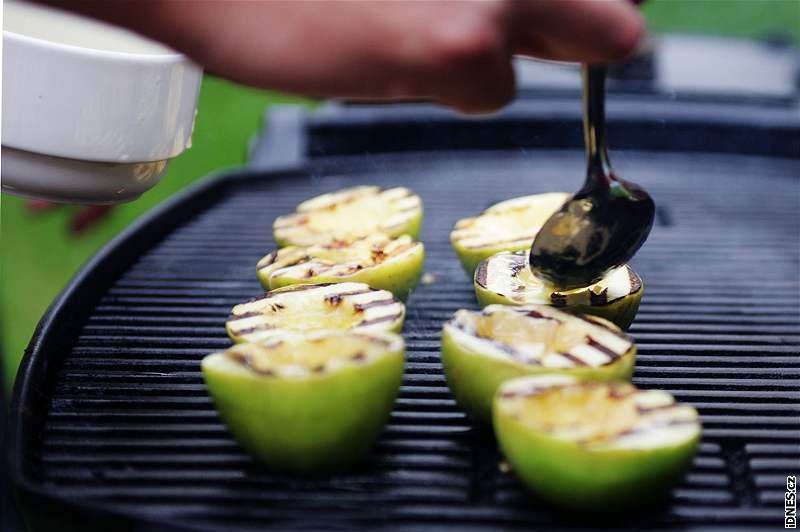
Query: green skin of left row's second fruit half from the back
point(399, 277)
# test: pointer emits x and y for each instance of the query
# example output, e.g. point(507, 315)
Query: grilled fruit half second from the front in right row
point(481, 350)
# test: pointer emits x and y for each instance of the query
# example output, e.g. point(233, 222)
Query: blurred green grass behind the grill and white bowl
point(38, 255)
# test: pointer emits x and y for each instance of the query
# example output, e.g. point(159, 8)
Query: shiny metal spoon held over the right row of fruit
point(606, 221)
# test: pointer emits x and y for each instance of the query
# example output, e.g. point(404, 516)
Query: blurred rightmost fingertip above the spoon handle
point(576, 30)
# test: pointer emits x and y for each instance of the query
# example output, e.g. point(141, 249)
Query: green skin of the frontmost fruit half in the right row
point(596, 481)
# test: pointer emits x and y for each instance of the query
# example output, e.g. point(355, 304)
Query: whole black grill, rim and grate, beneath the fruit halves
point(111, 425)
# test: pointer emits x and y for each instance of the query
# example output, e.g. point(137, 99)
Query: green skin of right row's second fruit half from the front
point(474, 378)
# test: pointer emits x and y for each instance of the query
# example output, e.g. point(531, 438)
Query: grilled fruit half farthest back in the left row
point(351, 213)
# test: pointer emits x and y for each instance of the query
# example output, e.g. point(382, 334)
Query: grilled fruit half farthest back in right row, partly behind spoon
point(506, 226)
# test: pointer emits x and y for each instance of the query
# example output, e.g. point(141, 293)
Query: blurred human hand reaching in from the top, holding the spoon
point(457, 53)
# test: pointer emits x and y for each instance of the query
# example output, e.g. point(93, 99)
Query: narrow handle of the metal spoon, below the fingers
point(594, 126)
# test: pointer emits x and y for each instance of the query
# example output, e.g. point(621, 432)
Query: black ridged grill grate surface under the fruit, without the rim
point(129, 424)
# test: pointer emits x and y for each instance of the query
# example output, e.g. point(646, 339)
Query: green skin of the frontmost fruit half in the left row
point(309, 426)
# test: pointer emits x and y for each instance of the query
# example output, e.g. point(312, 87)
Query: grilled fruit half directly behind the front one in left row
point(308, 307)
